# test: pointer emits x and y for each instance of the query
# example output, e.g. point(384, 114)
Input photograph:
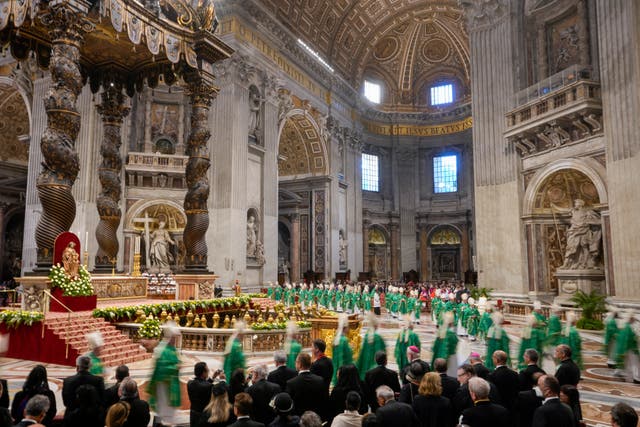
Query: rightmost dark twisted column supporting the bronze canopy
point(195, 202)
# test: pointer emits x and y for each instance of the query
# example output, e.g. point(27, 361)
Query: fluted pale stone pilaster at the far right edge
point(618, 32)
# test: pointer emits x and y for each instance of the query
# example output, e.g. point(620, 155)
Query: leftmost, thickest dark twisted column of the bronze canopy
point(60, 165)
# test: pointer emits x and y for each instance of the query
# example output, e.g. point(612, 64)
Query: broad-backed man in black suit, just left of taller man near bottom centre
point(308, 391)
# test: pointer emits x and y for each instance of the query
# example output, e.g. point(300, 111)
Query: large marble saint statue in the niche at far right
point(583, 238)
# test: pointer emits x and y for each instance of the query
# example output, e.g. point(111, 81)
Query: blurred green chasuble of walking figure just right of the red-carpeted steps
point(166, 370)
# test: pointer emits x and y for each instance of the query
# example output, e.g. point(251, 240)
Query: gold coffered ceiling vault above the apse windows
point(409, 44)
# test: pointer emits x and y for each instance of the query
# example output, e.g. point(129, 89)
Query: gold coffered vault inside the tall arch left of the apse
point(301, 146)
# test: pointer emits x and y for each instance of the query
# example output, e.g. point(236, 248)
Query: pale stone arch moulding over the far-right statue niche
point(590, 168)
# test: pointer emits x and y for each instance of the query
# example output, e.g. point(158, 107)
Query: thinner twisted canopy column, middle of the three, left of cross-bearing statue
point(113, 111)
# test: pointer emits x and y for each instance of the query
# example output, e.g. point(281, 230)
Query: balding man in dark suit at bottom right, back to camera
point(552, 413)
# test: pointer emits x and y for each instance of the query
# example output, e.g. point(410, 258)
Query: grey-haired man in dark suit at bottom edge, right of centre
point(484, 413)
